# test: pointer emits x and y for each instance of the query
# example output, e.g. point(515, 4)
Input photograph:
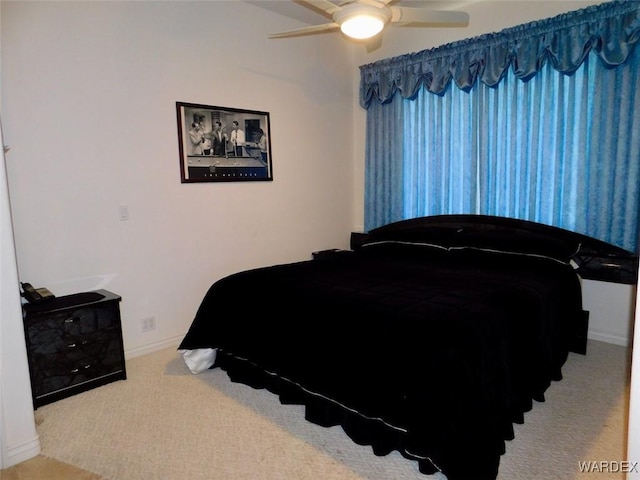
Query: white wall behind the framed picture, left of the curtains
point(89, 96)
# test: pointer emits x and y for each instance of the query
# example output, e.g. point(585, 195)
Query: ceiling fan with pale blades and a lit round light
point(362, 19)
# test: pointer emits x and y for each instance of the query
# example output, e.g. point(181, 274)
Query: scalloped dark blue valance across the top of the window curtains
point(611, 30)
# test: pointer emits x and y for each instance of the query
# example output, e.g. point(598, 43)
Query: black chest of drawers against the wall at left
point(74, 343)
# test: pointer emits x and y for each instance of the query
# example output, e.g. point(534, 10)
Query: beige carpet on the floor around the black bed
point(164, 423)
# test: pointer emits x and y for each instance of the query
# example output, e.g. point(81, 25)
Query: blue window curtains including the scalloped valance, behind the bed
point(535, 122)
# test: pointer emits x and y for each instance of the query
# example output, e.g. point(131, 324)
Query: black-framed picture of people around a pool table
point(223, 144)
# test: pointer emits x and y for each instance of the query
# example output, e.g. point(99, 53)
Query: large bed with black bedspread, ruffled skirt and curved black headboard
point(432, 336)
